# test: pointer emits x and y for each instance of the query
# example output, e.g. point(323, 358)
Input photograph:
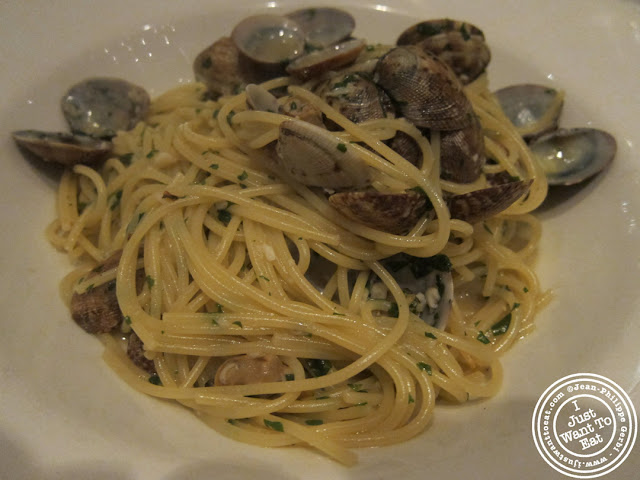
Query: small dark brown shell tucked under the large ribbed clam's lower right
point(462, 153)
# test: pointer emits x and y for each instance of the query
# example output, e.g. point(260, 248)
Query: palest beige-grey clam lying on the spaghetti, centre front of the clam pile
point(315, 157)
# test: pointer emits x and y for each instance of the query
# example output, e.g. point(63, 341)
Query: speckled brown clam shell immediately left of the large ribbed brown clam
point(356, 97)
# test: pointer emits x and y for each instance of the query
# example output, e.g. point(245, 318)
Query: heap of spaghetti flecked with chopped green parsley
point(226, 246)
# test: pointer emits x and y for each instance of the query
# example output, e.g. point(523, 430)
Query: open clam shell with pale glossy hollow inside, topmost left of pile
point(269, 39)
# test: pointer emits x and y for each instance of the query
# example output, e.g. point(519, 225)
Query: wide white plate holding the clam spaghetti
point(65, 415)
